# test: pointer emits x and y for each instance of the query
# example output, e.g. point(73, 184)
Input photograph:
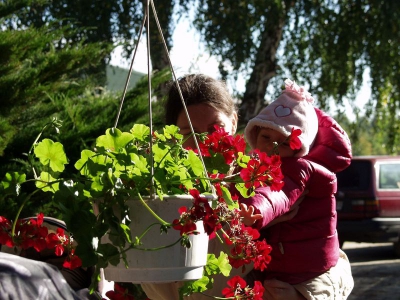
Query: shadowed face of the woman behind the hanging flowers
point(203, 118)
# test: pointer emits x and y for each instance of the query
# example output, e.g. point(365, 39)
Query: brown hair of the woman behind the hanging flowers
point(197, 89)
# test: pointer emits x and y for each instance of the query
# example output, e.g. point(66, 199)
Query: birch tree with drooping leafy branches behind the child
point(324, 44)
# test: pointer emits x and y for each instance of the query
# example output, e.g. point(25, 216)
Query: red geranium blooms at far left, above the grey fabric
point(31, 233)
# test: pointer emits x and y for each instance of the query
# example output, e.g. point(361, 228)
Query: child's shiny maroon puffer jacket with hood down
point(307, 245)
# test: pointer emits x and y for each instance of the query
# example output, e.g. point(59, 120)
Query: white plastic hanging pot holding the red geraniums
point(171, 262)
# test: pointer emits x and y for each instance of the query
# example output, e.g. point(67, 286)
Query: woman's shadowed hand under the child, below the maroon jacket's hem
point(279, 290)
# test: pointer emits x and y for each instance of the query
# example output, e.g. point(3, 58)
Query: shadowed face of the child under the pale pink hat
point(265, 142)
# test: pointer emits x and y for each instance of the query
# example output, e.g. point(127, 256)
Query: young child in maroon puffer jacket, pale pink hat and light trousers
point(306, 250)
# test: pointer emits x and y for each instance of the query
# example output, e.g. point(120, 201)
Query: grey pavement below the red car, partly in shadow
point(376, 271)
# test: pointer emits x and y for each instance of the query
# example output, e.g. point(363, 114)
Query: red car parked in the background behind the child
point(368, 200)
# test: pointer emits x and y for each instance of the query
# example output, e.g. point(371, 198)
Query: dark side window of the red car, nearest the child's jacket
point(356, 177)
